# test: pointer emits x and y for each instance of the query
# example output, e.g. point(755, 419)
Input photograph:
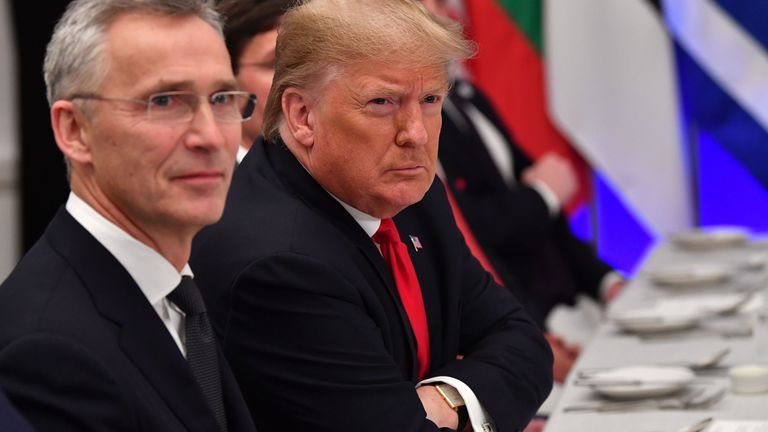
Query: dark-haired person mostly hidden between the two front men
point(250, 32)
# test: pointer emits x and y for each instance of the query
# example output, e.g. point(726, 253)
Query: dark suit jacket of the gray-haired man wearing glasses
point(81, 348)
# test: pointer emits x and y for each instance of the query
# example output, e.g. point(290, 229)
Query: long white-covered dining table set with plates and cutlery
point(718, 293)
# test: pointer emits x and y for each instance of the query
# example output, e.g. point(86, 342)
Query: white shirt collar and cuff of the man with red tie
point(478, 416)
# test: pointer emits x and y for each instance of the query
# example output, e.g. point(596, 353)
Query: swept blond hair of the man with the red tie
point(321, 38)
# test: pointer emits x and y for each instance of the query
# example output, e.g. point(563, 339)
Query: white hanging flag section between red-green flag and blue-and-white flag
point(612, 90)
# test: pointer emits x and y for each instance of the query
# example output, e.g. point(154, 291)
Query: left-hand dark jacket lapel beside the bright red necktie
point(295, 178)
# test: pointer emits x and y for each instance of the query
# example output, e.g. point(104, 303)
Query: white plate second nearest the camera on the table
point(653, 320)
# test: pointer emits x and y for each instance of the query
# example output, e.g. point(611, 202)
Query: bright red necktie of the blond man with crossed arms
point(396, 256)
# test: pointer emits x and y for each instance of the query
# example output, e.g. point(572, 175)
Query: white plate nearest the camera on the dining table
point(643, 381)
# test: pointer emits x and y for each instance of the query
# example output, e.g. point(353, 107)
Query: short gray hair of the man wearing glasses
point(74, 59)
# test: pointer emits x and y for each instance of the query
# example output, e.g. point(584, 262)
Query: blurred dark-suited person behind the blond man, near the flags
point(513, 206)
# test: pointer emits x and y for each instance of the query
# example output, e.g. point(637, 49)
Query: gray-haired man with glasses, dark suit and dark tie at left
point(94, 333)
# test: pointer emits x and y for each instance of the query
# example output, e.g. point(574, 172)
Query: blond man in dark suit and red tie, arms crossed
point(328, 324)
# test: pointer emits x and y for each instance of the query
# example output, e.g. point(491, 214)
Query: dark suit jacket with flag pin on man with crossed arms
point(312, 324)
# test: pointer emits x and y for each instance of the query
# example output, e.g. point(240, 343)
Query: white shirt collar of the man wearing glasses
point(155, 275)
